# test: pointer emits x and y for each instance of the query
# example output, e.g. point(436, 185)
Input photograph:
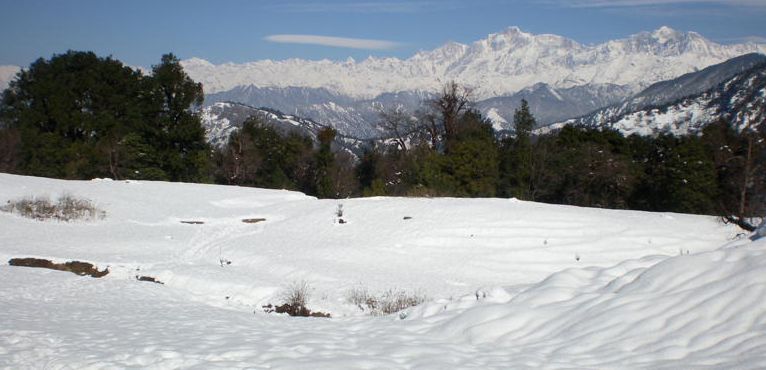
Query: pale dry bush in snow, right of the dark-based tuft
point(385, 303)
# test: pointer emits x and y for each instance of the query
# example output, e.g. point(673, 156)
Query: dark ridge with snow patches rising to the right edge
point(664, 107)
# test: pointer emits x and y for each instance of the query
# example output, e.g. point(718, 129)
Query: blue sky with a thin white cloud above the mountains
point(138, 32)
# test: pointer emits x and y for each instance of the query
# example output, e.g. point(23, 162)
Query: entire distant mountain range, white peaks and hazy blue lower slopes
point(561, 78)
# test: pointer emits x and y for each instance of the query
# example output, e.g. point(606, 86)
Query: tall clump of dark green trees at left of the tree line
point(80, 116)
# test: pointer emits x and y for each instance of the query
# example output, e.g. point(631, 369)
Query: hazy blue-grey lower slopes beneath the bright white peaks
point(361, 118)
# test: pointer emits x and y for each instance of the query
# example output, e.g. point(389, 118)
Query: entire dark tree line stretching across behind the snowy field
point(78, 116)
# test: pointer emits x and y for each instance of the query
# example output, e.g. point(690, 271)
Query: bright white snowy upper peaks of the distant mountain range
point(499, 64)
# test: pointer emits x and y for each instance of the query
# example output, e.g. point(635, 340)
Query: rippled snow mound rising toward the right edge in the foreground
point(698, 310)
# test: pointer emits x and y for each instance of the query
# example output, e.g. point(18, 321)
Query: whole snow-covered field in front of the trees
point(511, 284)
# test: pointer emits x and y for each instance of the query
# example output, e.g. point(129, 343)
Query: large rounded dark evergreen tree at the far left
point(63, 108)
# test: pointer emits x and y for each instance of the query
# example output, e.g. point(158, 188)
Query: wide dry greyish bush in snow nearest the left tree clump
point(67, 208)
